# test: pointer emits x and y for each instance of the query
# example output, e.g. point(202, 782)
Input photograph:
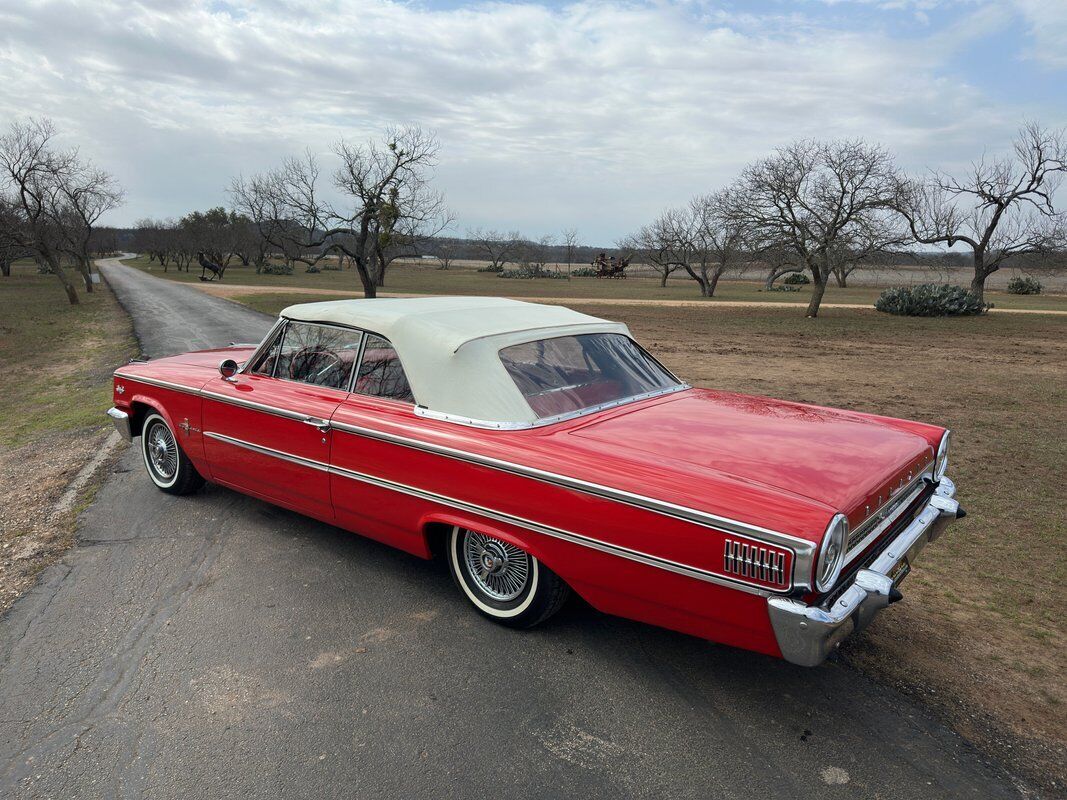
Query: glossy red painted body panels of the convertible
point(777, 466)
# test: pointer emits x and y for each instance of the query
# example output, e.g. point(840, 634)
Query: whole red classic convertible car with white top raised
point(543, 452)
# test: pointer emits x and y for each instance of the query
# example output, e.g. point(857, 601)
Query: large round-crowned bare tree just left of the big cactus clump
point(811, 197)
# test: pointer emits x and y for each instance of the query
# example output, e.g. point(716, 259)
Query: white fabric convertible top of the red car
point(450, 346)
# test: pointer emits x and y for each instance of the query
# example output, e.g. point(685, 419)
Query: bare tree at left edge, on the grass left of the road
point(52, 198)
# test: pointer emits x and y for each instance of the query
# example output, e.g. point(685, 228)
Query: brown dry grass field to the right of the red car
point(981, 634)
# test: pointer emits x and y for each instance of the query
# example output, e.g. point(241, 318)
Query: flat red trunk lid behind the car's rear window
point(838, 459)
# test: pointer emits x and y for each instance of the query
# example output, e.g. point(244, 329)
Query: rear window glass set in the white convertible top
point(570, 374)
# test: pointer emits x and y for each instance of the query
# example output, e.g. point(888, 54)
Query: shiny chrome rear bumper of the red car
point(807, 635)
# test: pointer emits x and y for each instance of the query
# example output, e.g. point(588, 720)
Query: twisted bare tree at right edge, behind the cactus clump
point(1001, 209)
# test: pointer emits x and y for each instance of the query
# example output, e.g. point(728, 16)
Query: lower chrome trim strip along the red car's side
point(632, 555)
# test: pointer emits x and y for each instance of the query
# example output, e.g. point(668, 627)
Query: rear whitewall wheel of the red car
point(503, 582)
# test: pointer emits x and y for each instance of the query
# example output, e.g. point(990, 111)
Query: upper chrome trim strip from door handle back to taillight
point(700, 518)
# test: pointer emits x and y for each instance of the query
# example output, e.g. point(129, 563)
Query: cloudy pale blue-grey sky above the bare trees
point(588, 115)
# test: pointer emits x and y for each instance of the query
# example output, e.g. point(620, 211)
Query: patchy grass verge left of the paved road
point(57, 362)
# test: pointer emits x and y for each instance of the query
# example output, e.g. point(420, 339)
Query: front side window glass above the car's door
point(317, 355)
